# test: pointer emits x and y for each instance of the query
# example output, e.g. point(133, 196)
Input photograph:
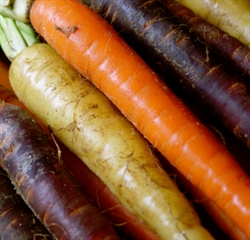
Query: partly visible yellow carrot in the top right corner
point(231, 16)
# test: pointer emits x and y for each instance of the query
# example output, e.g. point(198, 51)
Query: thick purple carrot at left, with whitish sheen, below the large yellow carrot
point(44, 182)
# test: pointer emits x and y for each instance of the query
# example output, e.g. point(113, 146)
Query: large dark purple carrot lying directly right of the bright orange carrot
point(186, 65)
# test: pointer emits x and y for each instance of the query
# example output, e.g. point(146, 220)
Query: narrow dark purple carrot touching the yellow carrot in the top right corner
point(221, 42)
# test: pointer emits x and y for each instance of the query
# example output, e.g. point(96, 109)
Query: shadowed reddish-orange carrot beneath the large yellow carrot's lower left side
point(94, 188)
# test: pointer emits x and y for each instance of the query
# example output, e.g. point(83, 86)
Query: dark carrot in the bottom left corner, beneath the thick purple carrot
point(17, 221)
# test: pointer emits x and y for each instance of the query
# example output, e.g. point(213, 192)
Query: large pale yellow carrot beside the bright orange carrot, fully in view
point(84, 119)
